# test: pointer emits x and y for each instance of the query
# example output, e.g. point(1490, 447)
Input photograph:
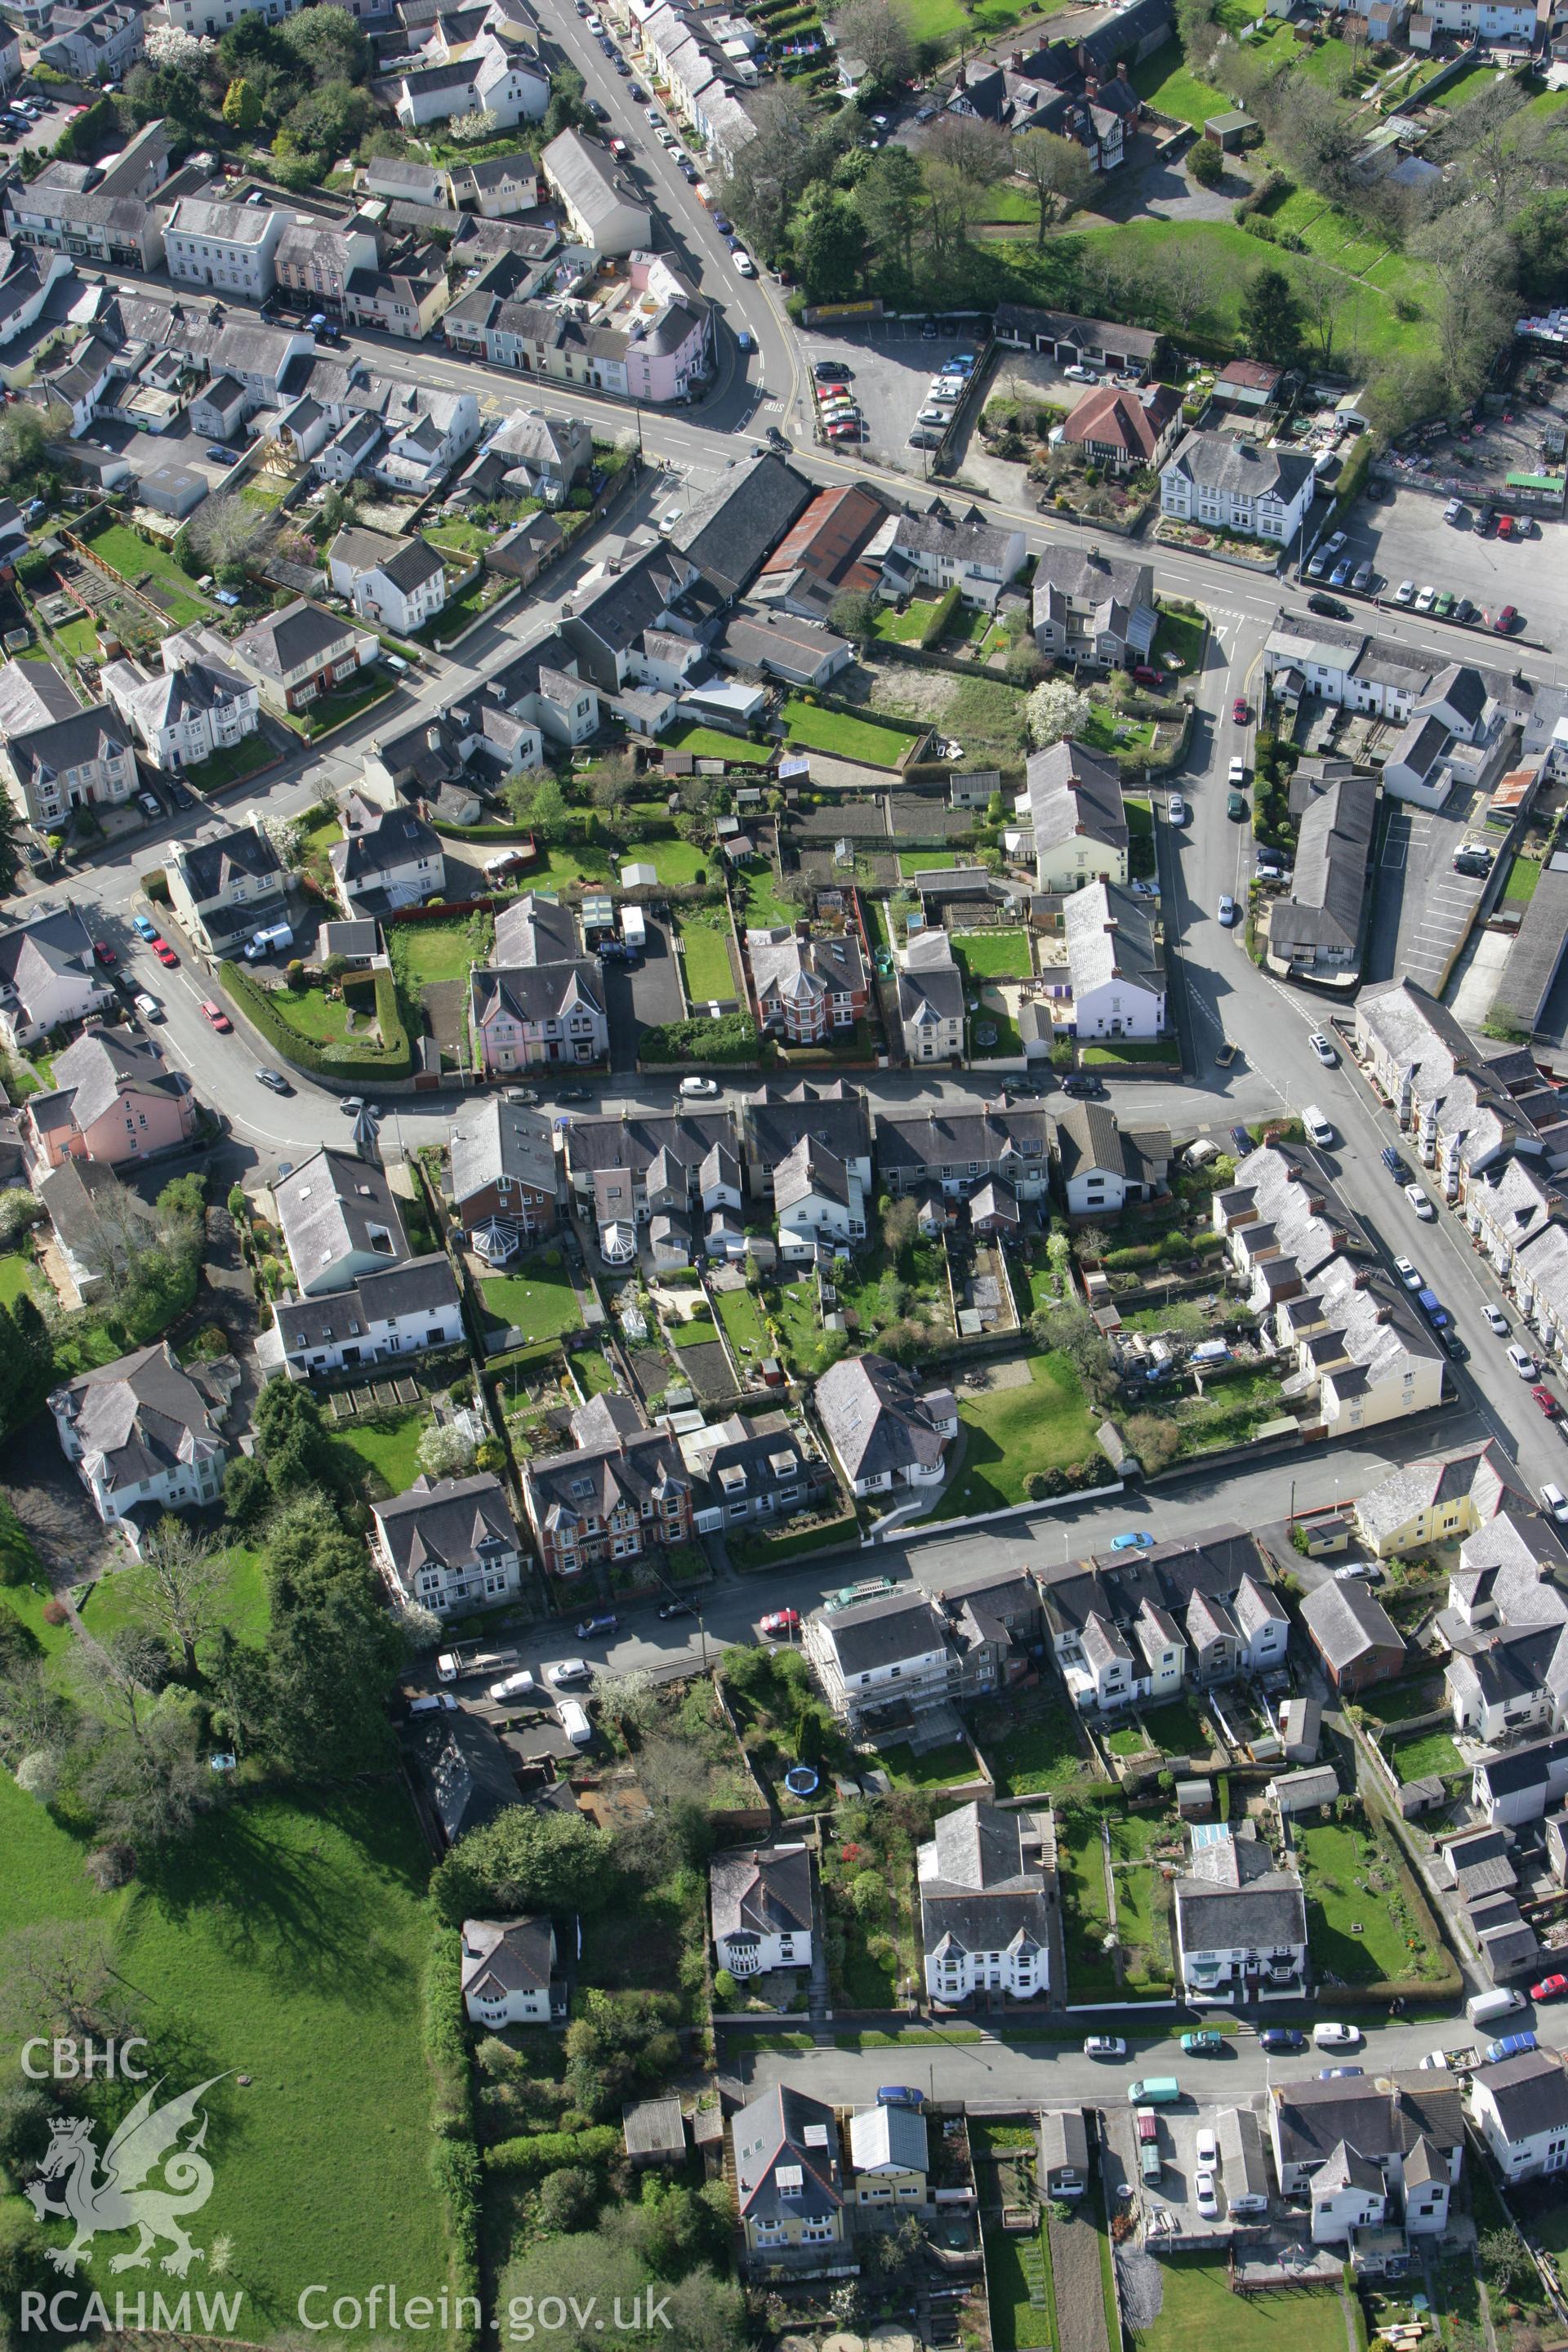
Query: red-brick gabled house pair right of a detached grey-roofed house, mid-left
point(608, 1502)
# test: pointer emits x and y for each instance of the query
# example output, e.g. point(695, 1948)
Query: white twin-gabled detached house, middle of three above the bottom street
point(986, 1895)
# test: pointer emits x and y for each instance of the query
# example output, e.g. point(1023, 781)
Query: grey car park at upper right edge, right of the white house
point(1405, 537)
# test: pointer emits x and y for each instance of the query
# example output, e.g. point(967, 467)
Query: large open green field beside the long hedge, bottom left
point(246, 1953)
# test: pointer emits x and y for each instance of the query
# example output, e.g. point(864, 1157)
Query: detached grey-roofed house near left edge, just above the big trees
point(145, 1434)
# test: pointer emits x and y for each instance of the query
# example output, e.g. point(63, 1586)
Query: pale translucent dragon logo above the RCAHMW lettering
point(116, 2198)
